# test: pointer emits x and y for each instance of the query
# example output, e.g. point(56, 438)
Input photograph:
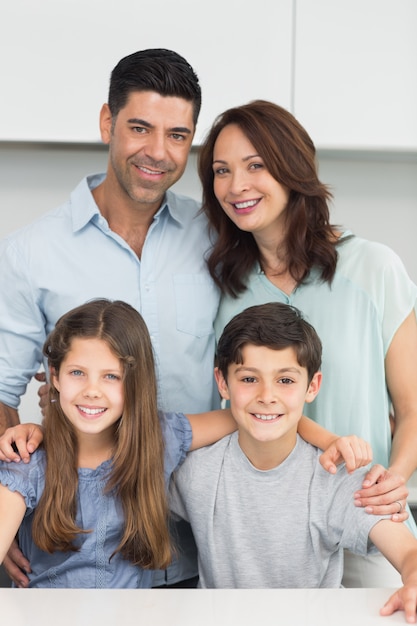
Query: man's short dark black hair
point(155, 69)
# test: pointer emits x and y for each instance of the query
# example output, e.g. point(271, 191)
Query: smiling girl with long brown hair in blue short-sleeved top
point(93, 500)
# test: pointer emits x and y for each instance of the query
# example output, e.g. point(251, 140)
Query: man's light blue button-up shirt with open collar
point(70, 256)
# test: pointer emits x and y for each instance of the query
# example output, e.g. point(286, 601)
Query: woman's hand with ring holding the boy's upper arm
point(383, 493)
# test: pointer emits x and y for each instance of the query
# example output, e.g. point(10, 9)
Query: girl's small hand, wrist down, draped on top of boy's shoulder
point(352, 450)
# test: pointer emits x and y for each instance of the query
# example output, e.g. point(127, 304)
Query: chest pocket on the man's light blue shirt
point(196, 301)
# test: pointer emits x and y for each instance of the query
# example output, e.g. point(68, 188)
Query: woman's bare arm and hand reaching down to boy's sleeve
point(388, 488)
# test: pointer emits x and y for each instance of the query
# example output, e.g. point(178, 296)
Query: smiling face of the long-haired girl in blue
point(90, 385)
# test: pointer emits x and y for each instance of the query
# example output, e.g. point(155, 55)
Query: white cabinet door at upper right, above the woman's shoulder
point(356, 73)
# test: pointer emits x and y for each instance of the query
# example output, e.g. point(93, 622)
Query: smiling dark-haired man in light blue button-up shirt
point(122, 235)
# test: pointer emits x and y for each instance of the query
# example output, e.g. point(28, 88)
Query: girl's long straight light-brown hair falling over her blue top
point(137, 470)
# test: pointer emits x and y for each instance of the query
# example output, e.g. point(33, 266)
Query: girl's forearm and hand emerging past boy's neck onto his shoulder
point(352, 450)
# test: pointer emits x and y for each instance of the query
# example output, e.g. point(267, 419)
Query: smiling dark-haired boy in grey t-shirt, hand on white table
point(239, 493)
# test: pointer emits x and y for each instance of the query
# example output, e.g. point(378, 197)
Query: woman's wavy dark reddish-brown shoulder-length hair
point(289, 155)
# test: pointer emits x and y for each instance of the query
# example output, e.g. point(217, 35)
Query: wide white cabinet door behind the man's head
point(56, 57)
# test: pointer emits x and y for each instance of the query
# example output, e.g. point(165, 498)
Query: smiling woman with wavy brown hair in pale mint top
point(274, 242)
